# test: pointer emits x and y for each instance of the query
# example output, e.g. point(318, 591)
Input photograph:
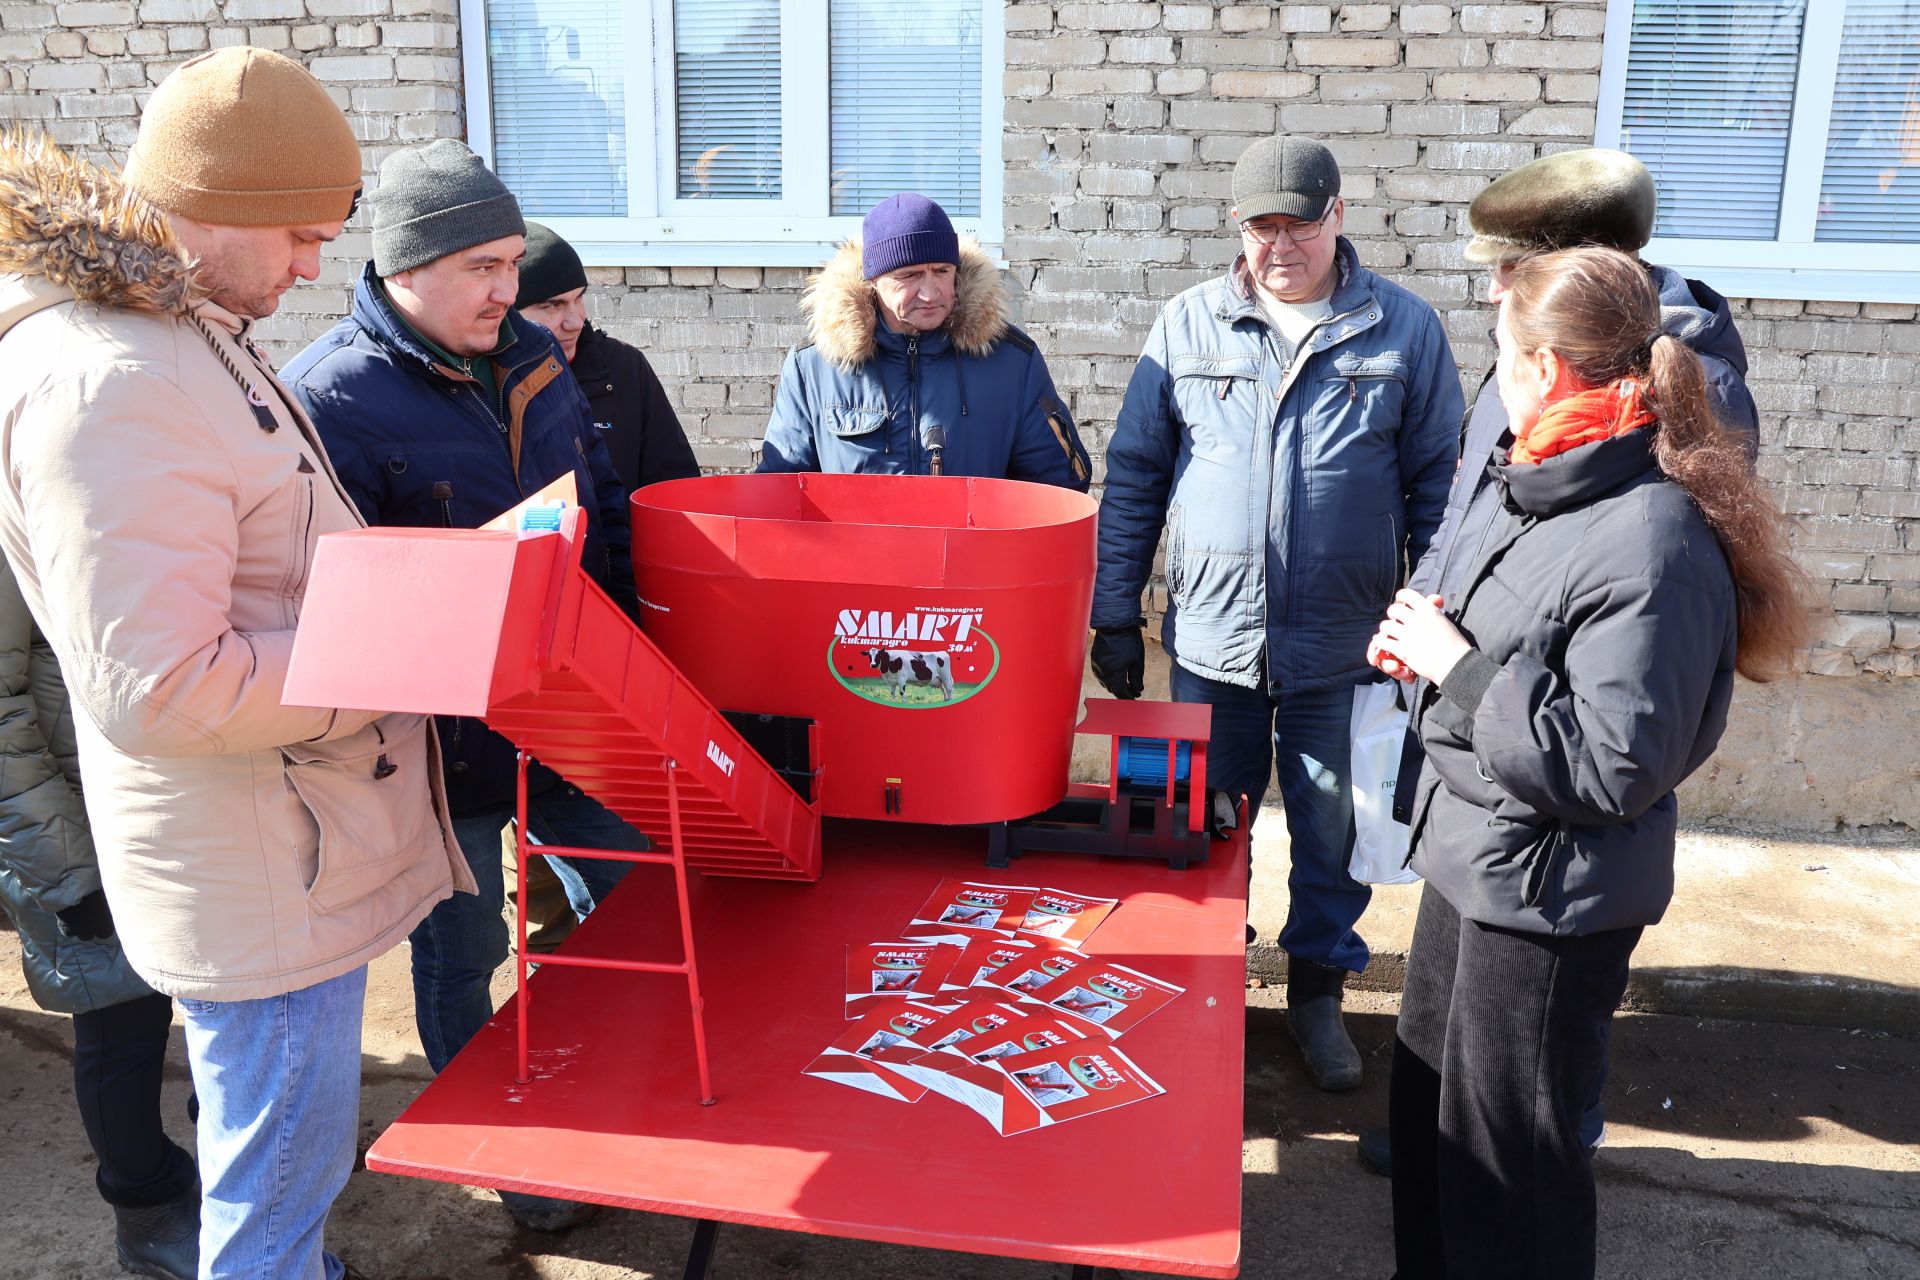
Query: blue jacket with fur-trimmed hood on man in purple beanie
point(859, 398)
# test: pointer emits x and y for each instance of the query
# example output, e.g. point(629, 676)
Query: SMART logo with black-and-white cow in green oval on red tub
point(913, 659)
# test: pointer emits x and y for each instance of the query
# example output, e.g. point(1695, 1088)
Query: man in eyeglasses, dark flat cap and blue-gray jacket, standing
point(1293, 429)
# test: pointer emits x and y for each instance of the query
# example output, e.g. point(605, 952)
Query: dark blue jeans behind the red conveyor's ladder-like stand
point(464, 941)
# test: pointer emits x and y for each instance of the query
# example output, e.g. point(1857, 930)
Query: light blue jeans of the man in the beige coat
point(279, 1114)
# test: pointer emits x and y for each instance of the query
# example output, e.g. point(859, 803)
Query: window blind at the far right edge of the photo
point(1873, 147)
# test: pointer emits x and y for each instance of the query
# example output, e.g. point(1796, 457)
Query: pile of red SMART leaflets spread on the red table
point(994, 1005)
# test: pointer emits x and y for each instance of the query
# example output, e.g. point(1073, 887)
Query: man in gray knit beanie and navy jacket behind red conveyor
point(443, 408)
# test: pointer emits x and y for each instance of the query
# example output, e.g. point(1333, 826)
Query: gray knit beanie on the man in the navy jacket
point(437, 201)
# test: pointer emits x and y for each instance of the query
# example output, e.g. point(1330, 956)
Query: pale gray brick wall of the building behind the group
point(1122, 128)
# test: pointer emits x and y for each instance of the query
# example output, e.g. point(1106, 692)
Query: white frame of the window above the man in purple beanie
point(663, 231)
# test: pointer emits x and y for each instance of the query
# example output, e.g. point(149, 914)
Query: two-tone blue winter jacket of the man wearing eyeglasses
point(1293, 496)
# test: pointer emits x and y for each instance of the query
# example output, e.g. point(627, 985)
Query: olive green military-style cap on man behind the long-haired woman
point(1560, 202)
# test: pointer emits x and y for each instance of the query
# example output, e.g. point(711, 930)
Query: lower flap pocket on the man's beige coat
point(372, 799)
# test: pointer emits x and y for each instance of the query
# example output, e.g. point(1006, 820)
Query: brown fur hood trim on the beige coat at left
point(74, 225)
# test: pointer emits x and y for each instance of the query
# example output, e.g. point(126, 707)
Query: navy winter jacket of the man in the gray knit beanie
point(418, 444)
